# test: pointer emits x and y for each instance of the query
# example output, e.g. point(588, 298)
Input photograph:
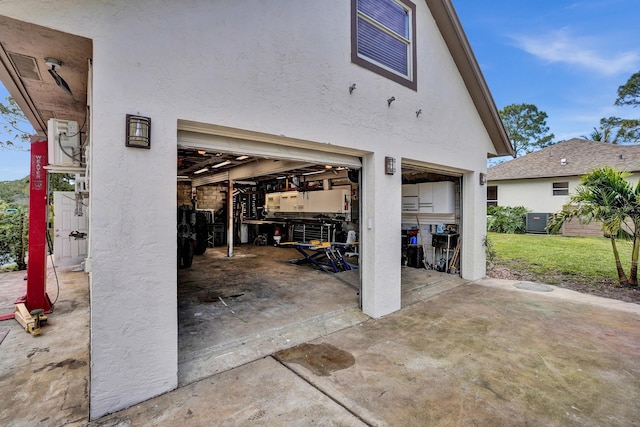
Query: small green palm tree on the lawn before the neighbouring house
point(605, 195)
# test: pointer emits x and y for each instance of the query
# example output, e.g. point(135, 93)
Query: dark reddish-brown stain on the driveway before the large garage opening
point(321, 359)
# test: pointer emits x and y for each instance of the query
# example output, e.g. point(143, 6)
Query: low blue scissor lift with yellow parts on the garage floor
point(316, 252)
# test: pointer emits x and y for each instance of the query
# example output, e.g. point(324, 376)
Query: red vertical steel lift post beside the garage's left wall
point(38, 209)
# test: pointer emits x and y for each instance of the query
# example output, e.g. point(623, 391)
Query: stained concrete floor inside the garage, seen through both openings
point(239, 309)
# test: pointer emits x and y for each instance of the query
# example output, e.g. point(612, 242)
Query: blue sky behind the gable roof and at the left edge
point(566, 57)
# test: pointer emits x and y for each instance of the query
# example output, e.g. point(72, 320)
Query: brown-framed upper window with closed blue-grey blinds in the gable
point(383, 38)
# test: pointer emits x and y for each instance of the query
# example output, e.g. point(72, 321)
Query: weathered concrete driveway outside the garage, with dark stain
point(488, 353)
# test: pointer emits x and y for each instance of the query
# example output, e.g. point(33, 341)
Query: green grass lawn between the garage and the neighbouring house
point(582, 258)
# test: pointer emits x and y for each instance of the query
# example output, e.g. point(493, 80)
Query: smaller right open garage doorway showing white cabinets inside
point(431, 225)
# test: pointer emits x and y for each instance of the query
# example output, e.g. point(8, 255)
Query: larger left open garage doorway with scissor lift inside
point(267, 251)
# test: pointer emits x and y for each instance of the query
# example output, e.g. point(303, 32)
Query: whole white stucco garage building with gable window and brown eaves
point(379, 87)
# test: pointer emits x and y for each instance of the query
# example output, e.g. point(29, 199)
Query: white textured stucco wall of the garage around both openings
point(278, 67)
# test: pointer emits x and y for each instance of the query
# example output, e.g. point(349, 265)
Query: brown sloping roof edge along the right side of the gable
point(456, 40)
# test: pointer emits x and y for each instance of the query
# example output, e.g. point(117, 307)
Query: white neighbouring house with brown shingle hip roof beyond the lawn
point(543, 181)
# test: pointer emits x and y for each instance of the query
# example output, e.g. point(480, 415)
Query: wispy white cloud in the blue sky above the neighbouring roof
point(561, 47)
